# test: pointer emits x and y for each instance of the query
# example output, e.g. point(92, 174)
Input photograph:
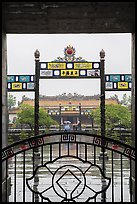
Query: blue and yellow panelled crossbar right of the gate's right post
point(118, 82)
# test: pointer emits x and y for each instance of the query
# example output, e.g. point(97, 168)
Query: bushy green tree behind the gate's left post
point(26, 116)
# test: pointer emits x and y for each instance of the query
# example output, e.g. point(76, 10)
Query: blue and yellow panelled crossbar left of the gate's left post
point(20, 83)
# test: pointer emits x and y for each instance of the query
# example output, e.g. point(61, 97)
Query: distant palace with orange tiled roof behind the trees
point(66, 107)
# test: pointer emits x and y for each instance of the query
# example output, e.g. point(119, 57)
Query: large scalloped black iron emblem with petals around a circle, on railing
point(68, 182)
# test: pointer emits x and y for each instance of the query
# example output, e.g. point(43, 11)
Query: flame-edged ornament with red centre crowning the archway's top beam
point(69, 56)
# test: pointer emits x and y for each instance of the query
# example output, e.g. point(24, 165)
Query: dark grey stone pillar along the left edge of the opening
point(4, 116)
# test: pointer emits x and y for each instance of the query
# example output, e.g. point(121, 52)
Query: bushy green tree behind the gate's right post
point(115, 115)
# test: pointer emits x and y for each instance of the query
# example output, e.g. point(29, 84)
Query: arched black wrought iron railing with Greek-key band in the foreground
point(69, 167)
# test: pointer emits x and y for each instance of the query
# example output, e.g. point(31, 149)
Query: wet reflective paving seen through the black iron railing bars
point(73, 181)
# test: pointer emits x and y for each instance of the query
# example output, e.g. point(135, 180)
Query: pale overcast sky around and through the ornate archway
point(20, 59)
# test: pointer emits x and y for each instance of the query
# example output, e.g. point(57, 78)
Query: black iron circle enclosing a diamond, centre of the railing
point(68, 182)
